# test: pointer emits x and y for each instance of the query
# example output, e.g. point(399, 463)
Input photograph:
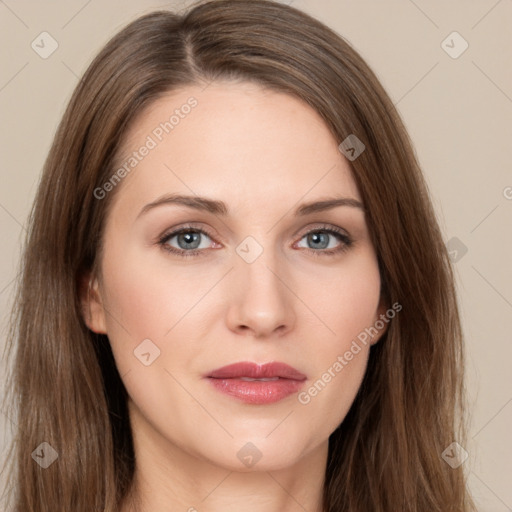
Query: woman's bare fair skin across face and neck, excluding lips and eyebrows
point(262, 153)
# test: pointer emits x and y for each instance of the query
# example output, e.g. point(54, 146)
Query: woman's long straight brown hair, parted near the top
point(65, 388)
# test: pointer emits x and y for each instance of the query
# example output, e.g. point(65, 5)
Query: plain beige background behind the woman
point(458, 112)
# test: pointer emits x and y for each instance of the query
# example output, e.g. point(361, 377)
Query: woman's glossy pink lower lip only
point(257, 392)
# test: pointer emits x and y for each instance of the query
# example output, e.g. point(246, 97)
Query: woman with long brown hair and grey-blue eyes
point(256, 370)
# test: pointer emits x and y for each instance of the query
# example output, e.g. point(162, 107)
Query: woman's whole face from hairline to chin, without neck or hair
point(251, 279)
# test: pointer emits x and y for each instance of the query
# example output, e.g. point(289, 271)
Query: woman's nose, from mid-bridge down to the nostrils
point(262, 301)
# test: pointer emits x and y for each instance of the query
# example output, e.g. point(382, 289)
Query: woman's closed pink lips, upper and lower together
point(228, 379)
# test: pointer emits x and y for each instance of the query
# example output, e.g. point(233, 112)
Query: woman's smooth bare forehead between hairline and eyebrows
point(237, 141)
